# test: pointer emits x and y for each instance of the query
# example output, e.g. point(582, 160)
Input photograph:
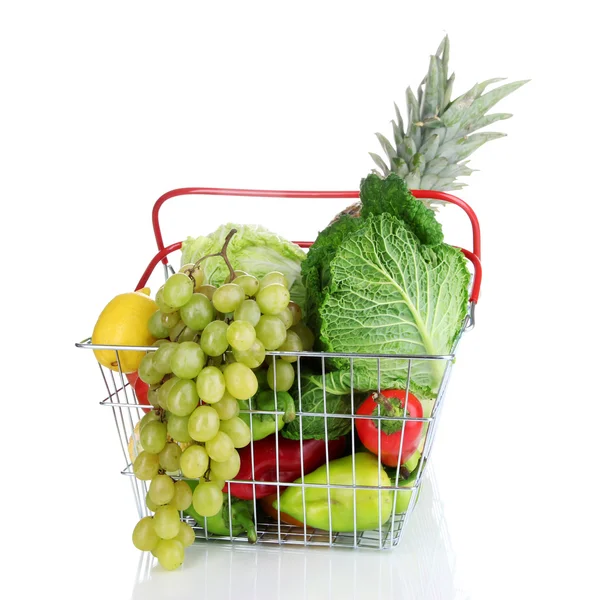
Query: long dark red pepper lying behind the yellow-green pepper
point(288, 458)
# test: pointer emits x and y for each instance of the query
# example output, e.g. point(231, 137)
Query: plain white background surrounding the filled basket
point(107, 105)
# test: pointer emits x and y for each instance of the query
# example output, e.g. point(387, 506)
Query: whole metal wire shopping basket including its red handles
point(127, 410)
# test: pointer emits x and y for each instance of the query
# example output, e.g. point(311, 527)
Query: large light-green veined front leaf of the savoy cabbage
point(390, 294)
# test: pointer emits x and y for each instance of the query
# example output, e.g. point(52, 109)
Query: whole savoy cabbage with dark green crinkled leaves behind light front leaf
point(381, 289)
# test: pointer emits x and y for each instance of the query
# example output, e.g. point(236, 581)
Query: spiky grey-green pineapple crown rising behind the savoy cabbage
point(429, 154)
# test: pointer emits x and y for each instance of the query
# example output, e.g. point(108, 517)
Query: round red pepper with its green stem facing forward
point(368, 432)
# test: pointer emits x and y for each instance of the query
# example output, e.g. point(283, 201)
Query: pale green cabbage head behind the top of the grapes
point(253, 249)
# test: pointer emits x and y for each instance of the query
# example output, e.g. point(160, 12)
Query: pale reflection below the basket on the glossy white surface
point(422, 567)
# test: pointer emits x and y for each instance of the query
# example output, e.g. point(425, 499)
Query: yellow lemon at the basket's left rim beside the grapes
point(123, 322)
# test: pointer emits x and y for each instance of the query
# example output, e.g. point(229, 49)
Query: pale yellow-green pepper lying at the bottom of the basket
point(342, 500)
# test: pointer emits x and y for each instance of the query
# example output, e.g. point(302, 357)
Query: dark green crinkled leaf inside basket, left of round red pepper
point(336, 400)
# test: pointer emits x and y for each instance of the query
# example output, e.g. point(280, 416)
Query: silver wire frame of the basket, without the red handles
point(127, 412)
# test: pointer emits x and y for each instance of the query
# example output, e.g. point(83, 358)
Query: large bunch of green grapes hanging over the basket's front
point(211, 343)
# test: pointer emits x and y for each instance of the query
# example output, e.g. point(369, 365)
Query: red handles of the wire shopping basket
point(473, 256)
